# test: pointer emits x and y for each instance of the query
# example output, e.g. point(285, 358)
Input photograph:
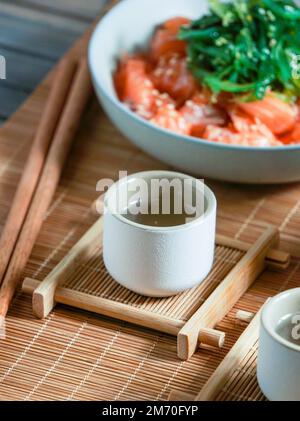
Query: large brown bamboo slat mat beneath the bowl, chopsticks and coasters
point(75, 355)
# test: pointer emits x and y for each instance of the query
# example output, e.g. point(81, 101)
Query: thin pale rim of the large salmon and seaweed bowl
point(92, 49)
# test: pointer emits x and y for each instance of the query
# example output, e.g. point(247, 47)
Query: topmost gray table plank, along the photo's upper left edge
point(84, 10)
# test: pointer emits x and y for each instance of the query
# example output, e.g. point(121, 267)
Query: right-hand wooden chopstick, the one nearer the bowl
point(68, 124)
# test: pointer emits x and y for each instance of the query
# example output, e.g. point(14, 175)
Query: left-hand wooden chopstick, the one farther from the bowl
point(35, 161)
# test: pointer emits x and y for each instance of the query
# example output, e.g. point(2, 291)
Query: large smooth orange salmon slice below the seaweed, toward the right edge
point(276, 114)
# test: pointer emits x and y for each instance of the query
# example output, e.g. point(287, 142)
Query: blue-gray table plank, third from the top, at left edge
point(23, 71)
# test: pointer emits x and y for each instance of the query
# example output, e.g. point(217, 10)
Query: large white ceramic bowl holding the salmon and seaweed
point(131, 24)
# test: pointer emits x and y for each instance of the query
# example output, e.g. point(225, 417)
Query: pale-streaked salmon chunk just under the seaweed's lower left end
point(198, 113)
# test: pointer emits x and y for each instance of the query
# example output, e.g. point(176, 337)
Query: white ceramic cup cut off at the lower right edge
point(278, 368)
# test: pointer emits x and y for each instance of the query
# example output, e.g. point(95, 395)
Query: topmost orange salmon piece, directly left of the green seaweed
point(165, 40)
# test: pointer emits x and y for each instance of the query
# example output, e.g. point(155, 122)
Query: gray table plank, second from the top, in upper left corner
point(30, 37)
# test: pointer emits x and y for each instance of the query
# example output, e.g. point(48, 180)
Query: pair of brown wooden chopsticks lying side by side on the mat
point(67, 100)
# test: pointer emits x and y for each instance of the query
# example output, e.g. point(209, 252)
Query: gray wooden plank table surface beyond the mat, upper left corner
point(34, 34)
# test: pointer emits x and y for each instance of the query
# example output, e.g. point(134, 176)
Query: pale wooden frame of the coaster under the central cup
point(199, 329)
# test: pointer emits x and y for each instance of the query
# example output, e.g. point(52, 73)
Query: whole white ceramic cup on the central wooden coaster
point(158, 261)
